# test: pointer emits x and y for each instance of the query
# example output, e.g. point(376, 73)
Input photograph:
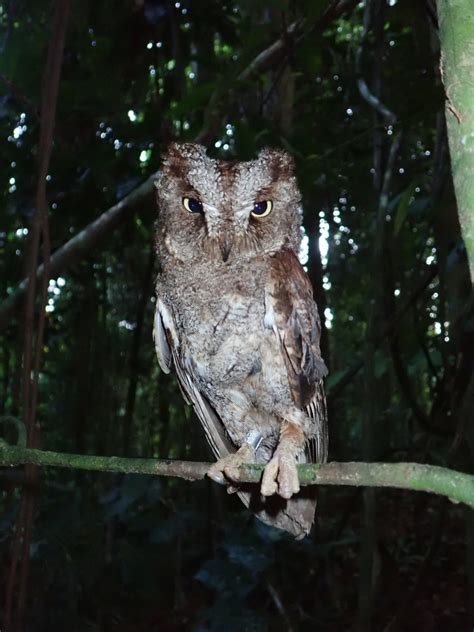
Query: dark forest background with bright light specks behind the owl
point(353, 91)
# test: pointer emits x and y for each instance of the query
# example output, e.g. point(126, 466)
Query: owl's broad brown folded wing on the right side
point(291, 312)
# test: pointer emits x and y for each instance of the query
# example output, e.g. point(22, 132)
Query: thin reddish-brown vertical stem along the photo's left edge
point(18, 573)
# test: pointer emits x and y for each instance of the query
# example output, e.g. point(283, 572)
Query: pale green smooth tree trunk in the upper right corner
point(456, 26)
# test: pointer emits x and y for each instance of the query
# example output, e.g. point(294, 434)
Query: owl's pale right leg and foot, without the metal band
point(280, 474)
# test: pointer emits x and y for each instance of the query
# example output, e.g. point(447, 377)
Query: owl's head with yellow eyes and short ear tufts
point(226, 211)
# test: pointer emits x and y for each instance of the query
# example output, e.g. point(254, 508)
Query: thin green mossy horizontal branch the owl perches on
point(457, 486)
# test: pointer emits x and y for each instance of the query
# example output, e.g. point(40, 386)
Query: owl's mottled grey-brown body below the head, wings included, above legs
point(255, 339)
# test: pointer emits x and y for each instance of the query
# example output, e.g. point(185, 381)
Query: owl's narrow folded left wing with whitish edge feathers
point(169, 354)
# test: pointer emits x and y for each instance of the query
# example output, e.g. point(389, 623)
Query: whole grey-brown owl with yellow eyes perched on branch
point(235, 318)
